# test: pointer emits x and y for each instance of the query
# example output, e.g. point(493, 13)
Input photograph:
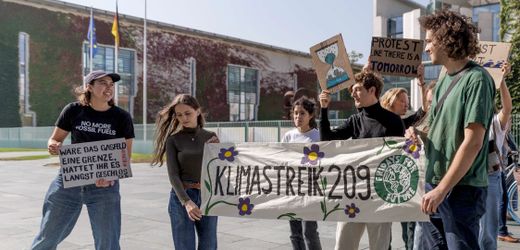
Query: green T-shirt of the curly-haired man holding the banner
point(470, 101)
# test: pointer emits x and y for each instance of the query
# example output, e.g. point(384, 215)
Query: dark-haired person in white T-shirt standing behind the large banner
point(303, 116)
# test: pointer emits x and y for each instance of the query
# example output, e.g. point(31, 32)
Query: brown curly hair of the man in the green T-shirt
point(453, 32)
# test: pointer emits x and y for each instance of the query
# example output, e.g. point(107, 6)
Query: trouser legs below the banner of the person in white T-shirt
point(307, 228)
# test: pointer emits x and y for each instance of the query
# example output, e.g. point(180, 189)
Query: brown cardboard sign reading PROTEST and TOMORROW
point(395, 56)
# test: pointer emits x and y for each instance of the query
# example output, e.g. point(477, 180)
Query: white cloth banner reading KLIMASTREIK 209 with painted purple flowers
point(366, 180)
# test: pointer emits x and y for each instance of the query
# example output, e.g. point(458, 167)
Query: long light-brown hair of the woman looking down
point(167, 124)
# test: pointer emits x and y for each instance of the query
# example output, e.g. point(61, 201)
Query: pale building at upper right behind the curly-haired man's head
point(399, 18)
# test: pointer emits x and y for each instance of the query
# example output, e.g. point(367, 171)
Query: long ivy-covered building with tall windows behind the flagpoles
point(44, 54)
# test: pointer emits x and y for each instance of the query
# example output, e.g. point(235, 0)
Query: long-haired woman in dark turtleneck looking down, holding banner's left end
point(181, 137)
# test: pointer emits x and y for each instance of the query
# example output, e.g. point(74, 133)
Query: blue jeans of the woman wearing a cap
point(61, 209)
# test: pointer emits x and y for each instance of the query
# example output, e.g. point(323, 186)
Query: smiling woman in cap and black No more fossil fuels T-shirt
point(95, 109)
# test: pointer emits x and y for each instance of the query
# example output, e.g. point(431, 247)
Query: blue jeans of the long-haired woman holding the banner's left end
point(183, 229)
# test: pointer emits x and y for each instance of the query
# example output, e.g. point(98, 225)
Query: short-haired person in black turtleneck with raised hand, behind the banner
point(371, 121)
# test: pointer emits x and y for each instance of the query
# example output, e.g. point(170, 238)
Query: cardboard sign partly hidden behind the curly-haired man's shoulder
point(492, 56)
